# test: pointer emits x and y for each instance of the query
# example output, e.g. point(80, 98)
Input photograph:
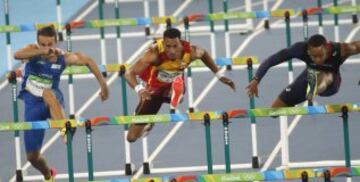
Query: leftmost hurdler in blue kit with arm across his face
point(40, 91)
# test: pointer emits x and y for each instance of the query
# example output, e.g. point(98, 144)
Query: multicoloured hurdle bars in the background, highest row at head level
point(177, 20)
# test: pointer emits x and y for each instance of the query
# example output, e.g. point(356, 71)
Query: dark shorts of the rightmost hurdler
point(295, 93)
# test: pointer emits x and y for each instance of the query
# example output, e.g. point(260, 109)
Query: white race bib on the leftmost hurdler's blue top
point(36, 85)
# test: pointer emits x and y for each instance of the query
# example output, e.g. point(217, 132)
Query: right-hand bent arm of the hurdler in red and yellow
point(199, 53)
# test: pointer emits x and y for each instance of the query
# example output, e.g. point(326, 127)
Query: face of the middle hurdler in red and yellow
point(173, 47)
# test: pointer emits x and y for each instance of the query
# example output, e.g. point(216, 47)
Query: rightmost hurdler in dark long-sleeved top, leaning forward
point(321, 76)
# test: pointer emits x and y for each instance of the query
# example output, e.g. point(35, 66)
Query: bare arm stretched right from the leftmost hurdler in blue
point(83, 60)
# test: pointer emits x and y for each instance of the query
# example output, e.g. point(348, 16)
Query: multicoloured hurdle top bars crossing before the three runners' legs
point(184, 117)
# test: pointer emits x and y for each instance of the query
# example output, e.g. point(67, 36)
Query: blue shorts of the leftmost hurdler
point(35, 110)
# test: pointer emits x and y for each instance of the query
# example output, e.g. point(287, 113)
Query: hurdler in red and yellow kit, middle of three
point(162, 64)
